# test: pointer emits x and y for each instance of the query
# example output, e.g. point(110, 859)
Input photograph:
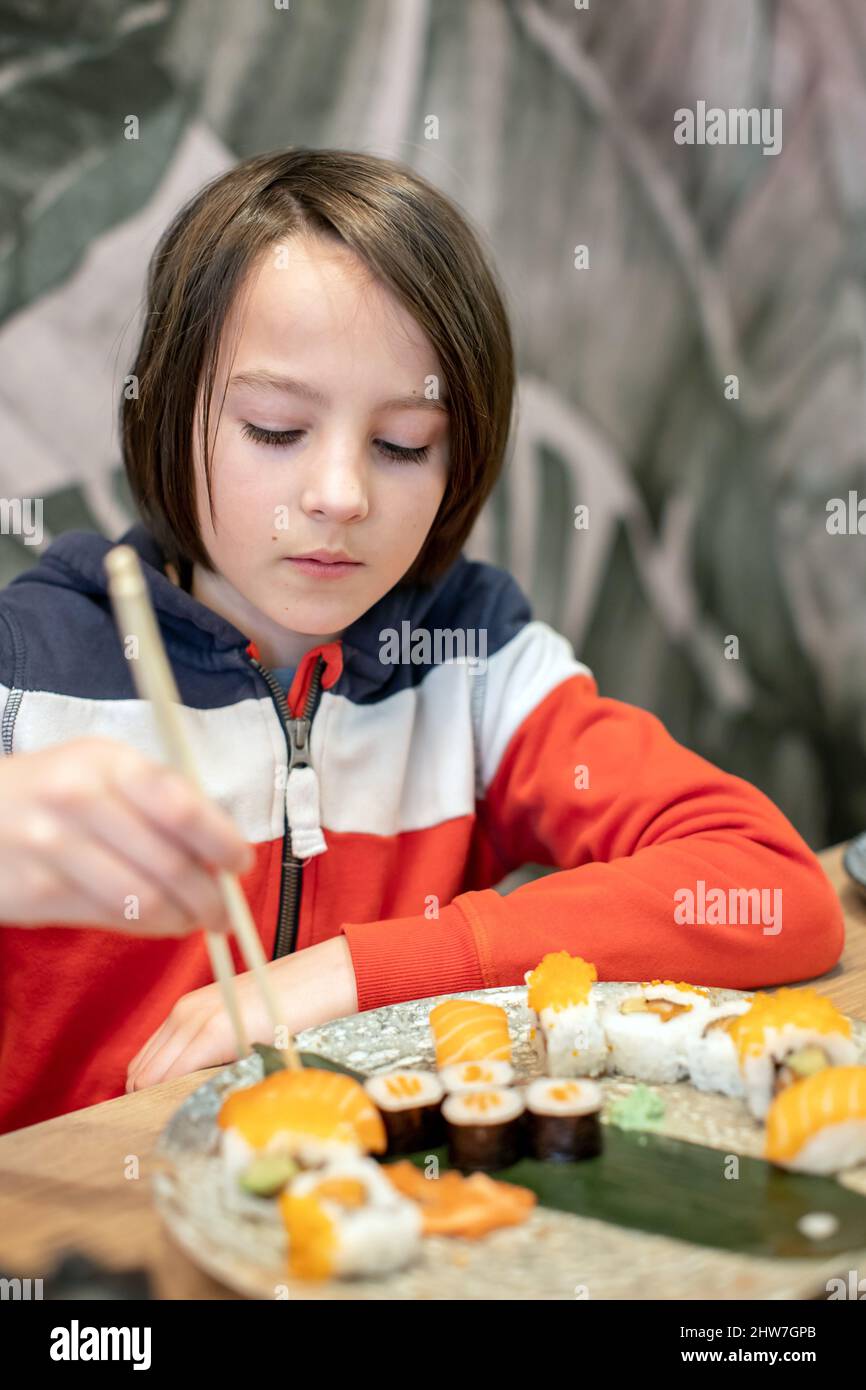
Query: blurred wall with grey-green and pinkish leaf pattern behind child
point(696, 377)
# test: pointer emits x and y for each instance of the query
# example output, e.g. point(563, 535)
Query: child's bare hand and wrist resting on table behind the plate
point(312, 988)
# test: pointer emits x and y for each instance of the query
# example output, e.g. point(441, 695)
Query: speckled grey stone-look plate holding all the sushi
point(555, 1254)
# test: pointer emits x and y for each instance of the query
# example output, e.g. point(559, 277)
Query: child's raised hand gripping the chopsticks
point(95, 833)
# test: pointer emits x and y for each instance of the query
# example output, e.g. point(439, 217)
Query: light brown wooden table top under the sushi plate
point(63, 1182)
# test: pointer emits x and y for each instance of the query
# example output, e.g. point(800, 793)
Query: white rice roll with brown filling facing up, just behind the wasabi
point(650, 1028)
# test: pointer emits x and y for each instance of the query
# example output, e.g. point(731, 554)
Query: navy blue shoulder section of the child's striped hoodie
point(60, 633)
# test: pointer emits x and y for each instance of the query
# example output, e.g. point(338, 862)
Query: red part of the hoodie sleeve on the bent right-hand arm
point(669, 868)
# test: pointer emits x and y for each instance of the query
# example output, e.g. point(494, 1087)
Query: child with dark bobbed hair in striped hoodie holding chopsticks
point(340, 318)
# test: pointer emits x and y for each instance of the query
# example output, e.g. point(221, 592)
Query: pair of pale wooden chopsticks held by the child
point(155, 682)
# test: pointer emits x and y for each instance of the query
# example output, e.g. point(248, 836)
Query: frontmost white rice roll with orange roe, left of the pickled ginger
point(348, 1220)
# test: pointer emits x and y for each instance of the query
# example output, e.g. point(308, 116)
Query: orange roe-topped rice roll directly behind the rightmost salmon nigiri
point(785, 1038)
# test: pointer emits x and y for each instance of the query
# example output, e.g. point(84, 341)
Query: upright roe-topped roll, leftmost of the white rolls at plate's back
point(568, 1015)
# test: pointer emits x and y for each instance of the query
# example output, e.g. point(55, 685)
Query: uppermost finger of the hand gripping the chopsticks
point(179, 810)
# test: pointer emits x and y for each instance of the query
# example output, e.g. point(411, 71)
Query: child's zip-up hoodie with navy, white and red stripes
point(418, 785)
